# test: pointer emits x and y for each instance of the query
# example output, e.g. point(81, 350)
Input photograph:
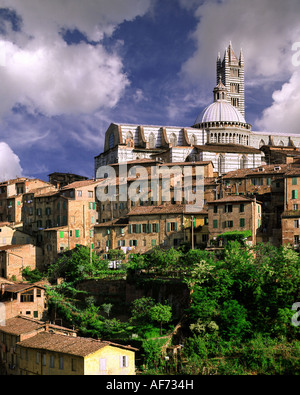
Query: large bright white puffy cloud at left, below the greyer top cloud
point(61, 78)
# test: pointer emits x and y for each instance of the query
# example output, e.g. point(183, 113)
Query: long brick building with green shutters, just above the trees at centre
point(146, 227)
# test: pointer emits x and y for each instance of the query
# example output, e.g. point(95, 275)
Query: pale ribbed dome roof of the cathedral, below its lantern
point(220, 111)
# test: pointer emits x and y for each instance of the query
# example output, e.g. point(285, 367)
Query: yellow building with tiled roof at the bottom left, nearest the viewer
point(54, 354)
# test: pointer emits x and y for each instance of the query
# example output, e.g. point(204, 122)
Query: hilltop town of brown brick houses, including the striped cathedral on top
point(183, 189)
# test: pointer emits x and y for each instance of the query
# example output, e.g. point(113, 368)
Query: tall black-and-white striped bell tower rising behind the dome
point(232, 73)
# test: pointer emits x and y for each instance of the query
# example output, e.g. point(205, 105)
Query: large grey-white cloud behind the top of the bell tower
point(264, 28)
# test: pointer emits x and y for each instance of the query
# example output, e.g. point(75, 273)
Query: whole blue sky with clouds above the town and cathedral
point(69, 68)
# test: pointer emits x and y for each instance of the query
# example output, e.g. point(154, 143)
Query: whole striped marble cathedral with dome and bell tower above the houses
point(220, 133)
